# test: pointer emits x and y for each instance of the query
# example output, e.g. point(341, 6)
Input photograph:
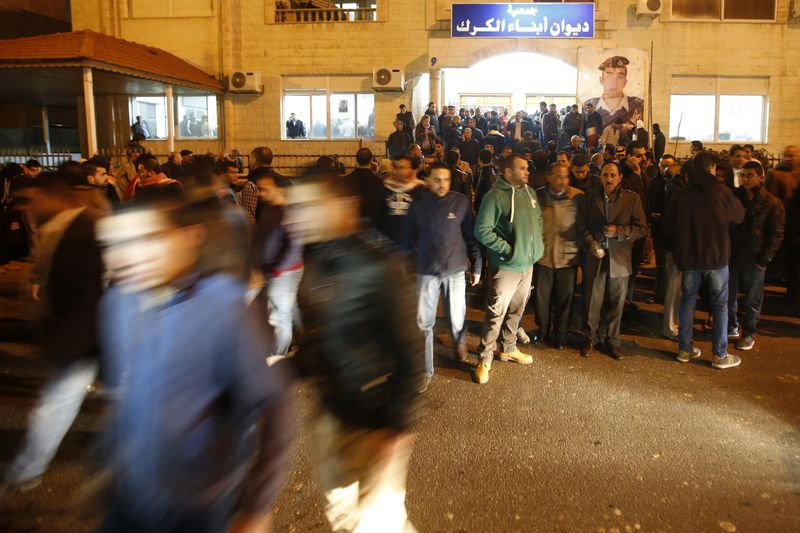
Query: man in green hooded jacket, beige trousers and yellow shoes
point(509, 225)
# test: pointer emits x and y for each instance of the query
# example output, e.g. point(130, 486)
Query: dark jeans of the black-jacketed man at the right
point(748, 277)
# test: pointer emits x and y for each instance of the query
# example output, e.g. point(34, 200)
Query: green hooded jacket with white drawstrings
point(509, 225)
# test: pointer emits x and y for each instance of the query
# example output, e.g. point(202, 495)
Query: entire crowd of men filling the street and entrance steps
point(181, 277)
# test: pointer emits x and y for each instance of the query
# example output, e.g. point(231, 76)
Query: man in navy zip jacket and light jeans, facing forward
point(441, 230)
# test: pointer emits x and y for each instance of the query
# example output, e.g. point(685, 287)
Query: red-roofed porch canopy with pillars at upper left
point(58, 68)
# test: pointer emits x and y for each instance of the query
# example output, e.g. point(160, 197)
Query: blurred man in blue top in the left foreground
point(200, 433)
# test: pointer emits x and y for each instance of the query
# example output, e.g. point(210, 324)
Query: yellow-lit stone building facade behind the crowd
point(223, 36)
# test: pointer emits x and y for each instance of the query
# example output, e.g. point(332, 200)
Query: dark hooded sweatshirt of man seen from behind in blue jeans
point(699, 218)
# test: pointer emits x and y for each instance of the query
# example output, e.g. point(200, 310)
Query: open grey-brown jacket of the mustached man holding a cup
point(626, 212)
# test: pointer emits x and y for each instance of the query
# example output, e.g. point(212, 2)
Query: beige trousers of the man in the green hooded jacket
point(505, 302)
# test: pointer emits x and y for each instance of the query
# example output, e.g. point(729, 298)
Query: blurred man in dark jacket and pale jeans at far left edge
point(67, 286)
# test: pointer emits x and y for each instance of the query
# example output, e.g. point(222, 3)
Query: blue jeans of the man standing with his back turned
point(717, 284)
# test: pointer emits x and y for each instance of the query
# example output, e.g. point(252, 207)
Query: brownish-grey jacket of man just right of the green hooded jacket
point(559, 231)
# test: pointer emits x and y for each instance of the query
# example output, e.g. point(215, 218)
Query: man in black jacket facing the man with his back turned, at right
point(754, 242)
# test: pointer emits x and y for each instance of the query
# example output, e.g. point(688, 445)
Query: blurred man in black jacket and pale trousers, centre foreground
point(361, 348)
